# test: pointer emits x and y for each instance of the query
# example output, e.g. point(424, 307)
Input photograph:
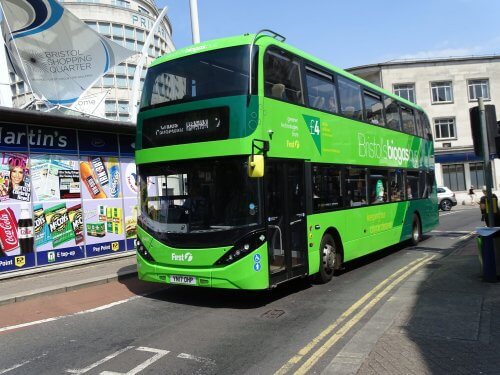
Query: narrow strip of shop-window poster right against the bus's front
point(130, 188)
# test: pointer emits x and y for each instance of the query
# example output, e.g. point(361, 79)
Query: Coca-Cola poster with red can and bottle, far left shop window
point(16, 237)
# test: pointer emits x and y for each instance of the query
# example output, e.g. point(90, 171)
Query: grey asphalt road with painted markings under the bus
point(131, 327)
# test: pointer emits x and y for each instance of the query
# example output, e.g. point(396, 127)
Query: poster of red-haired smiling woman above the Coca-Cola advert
point(14, 177)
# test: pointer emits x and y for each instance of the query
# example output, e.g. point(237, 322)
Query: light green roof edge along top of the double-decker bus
point(265, 40)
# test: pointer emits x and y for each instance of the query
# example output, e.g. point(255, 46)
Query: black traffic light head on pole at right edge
point(491, 128)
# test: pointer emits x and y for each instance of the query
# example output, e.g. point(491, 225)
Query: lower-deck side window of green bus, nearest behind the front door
point(327, 193)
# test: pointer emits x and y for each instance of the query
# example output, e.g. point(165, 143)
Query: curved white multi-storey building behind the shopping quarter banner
point(126, 22)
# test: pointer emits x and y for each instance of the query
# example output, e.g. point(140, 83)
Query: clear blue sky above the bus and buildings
point(354, 32)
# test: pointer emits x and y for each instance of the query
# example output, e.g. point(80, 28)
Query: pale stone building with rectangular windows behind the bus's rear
point(446, 89)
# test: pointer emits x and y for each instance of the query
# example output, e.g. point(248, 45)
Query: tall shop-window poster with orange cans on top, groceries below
point(103, 209)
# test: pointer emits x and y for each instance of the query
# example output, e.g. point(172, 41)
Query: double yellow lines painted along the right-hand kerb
point(345, 322)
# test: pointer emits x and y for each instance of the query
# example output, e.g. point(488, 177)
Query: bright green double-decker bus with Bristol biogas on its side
point(258, 163)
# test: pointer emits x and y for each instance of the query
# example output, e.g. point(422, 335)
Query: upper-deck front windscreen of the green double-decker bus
point(218, 73)
